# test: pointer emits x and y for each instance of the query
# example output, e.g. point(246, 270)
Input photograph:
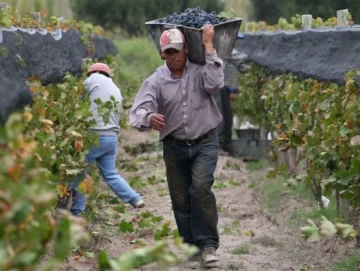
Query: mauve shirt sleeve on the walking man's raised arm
point(212, 72)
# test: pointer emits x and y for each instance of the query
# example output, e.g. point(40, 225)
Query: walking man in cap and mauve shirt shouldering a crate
point(178, 101)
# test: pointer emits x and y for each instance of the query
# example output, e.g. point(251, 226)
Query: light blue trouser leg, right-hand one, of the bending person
point(106, 164)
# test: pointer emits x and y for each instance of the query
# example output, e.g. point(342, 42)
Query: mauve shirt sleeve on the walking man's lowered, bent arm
point(144, 105)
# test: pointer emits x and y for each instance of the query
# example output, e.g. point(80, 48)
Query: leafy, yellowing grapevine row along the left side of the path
point(43, 148)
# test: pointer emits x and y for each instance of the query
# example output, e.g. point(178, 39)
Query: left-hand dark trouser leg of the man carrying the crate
point(178, 173)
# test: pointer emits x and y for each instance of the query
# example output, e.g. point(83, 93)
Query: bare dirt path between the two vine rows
point(250, 239)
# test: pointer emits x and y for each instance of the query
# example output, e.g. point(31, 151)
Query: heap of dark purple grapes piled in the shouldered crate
point(193, 17)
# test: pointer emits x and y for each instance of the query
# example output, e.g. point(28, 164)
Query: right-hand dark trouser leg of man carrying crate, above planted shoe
point(204, 215)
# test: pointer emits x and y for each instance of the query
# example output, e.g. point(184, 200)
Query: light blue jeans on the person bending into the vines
point(105, 155)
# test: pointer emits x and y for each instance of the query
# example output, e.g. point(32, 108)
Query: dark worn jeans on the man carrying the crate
point(190, 175)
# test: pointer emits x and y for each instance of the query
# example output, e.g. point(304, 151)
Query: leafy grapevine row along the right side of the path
point(319, 118)
